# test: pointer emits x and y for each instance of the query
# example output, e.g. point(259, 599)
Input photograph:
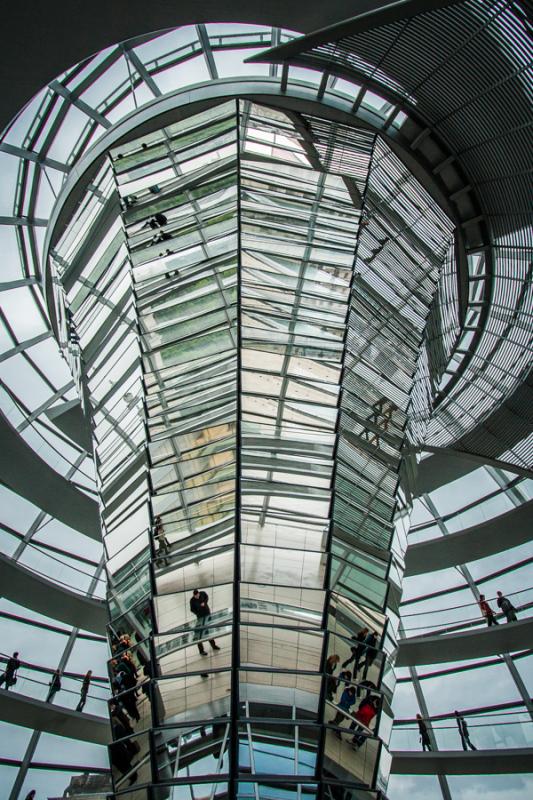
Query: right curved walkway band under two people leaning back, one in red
point(502, 638)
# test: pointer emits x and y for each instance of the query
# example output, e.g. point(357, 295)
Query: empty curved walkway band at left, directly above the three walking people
point(21, 585)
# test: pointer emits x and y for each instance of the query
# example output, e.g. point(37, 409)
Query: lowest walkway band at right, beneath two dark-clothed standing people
point(456, 762)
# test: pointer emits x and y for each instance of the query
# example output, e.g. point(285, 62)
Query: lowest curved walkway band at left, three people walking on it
point(18, 709)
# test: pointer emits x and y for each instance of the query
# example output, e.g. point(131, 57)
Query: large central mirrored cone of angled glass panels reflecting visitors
point(242, 297)
